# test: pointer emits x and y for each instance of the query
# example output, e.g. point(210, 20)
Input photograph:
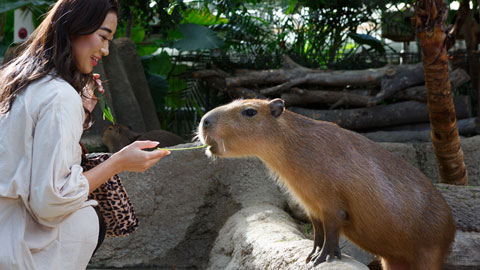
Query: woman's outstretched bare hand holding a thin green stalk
point(133, 158)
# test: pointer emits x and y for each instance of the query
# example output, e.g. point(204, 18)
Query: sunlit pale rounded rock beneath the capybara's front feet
point(265, 237)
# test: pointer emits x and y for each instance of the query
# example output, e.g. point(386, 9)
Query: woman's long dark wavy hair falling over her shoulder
point(49, 49)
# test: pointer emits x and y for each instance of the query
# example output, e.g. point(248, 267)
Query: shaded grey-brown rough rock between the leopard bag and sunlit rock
point(182, 202)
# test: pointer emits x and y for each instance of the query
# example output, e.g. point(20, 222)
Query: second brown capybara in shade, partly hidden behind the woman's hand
point(115, 137)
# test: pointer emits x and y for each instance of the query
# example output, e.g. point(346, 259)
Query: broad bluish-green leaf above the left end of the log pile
point(197, 37)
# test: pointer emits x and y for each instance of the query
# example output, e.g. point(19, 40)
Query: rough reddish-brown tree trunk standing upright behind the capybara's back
point(431, 32)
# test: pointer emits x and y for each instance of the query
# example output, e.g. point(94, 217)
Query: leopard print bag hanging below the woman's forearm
point(113, 201)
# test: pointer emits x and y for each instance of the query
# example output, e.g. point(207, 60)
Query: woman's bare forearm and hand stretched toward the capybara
point(131, 158)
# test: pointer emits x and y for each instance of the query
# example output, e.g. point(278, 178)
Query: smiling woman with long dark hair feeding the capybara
point(46, 221)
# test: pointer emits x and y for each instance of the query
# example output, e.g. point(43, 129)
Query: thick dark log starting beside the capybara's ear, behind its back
point(383, 115)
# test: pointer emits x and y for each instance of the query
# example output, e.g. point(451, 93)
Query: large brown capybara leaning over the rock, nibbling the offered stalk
point(346, 183)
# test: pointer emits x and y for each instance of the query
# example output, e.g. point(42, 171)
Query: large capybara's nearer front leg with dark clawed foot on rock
point(330, 248)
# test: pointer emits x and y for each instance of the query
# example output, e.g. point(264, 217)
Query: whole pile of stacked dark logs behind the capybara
point(354, 99)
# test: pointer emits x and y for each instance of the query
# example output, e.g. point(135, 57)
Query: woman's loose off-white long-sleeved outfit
point(45, 218)
